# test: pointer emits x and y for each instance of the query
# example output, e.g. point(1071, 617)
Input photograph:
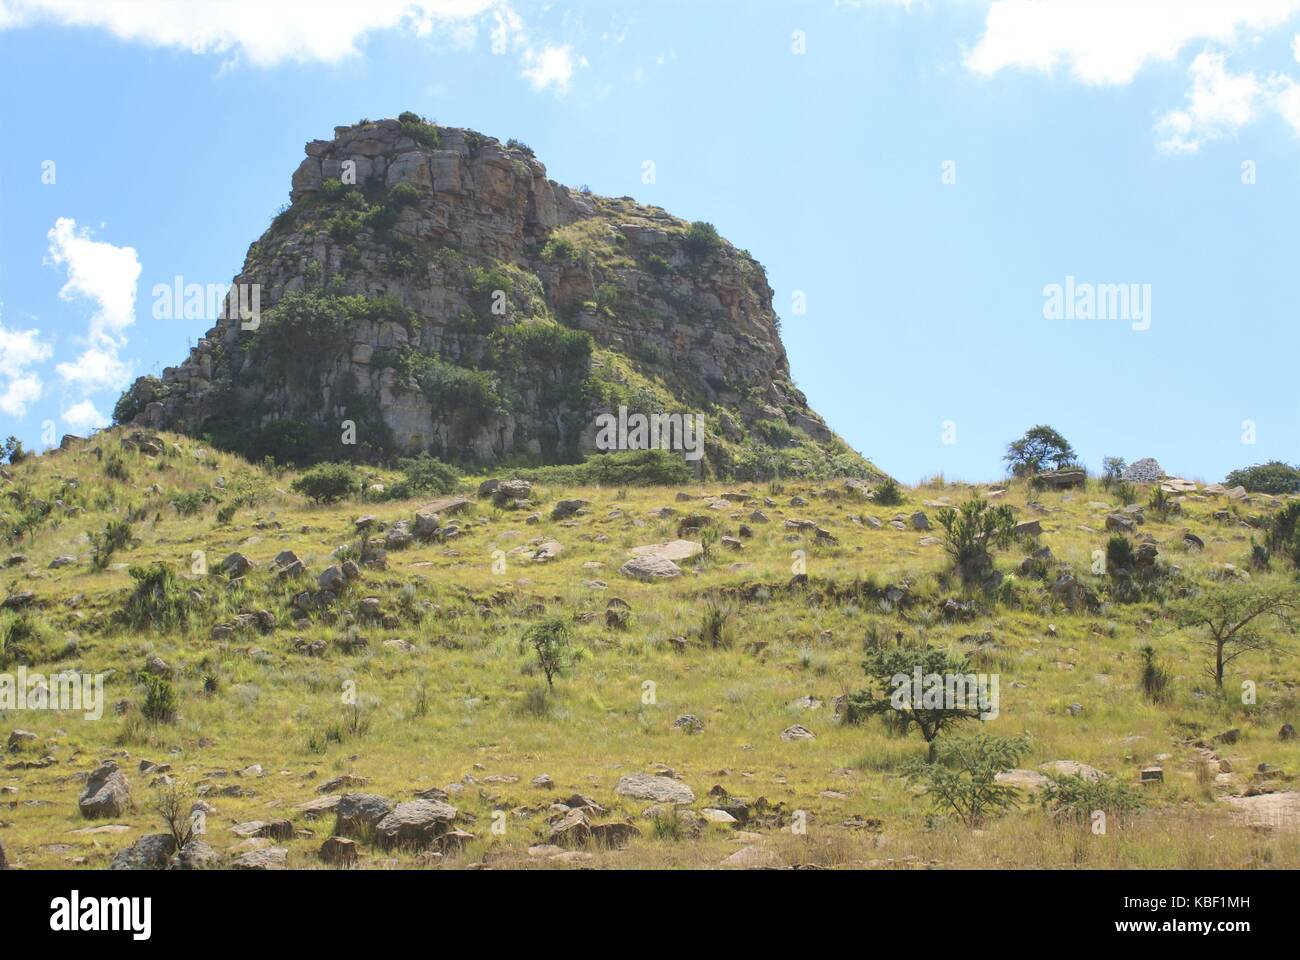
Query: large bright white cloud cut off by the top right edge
point(1108, 44)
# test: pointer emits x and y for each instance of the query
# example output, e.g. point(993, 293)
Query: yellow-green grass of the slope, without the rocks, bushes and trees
point(447, 697)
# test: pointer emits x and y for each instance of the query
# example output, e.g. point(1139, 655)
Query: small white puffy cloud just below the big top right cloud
point(1219, 105)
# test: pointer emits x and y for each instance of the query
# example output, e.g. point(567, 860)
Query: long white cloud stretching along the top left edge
point(268, 33)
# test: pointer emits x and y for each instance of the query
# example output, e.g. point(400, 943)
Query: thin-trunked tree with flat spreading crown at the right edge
point(1230, 620)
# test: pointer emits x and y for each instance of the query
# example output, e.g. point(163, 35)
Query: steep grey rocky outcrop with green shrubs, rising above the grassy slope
point(436, 289)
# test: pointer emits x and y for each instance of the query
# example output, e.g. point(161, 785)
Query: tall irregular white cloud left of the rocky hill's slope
point(106, 275)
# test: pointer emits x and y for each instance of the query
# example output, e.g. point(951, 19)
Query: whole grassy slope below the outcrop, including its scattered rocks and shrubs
point(500, 663)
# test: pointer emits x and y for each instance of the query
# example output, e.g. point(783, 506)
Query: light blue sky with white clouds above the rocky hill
point(921, 172)
